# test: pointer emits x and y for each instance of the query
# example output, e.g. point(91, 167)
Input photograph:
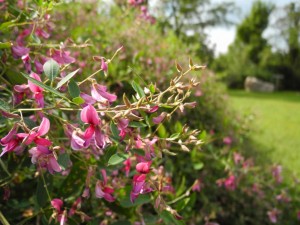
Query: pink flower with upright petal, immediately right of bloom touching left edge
point(35, 136)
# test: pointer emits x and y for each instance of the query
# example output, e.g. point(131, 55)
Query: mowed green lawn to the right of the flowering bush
point(275, 125)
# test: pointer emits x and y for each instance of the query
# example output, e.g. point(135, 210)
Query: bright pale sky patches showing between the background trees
point(222, 37)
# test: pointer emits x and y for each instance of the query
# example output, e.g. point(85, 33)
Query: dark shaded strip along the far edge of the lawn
point(281, 96)
